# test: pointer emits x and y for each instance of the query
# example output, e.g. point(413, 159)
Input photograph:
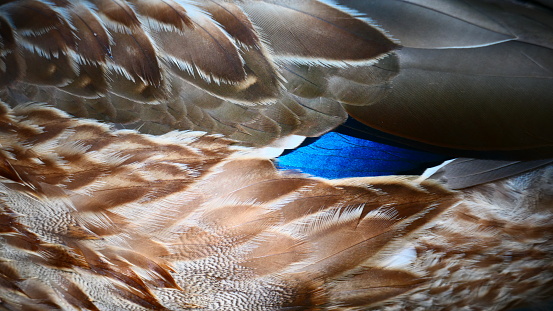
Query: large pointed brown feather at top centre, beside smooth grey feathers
point(288, 25)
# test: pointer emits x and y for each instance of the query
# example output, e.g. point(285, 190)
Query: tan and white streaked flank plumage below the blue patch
point(102, 219)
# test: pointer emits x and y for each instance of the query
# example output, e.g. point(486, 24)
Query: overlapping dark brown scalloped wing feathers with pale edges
point(217, 66)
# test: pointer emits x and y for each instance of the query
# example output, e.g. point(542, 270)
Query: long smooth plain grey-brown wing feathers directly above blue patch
point(474, 75)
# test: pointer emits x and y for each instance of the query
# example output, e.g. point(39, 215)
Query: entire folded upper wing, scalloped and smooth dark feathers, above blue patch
point(258, 71)
